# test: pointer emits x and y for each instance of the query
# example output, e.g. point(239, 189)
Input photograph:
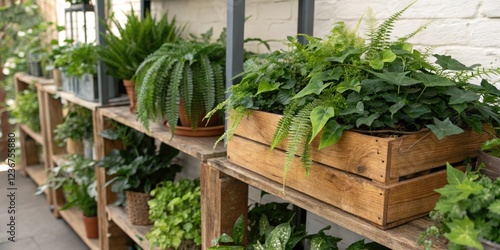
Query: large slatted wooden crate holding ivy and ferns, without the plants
point(387, 181)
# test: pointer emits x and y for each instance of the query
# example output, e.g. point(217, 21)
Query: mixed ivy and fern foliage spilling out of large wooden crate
point(340, 83)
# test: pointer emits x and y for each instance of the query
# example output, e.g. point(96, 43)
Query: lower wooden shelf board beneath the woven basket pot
point(136, 232)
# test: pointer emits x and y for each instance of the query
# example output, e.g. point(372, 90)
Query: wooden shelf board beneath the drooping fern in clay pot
point(199, 147)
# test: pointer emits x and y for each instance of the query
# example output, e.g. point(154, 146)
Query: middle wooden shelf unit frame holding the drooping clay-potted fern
point(122, 230)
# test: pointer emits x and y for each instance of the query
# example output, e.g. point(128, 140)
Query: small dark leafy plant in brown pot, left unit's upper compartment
point(76, 131)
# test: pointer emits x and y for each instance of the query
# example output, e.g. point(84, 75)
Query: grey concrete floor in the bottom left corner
point(35, 226)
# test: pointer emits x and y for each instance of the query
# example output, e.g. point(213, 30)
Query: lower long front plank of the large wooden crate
point(349, 192)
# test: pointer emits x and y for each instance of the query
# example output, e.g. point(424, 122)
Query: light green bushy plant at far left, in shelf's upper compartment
point(25, 109)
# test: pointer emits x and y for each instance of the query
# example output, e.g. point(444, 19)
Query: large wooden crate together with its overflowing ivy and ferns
point(345, 110)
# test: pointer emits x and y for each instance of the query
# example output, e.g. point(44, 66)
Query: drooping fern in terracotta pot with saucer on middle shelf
point(187, 77)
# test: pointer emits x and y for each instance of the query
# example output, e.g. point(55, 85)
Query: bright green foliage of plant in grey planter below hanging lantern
point(78, 59)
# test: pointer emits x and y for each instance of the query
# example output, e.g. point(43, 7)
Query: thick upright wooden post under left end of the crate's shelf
point(223, 200)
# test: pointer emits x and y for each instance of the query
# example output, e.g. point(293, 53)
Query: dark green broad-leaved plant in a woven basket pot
point(137, 169)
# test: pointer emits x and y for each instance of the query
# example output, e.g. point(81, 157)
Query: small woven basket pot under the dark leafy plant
point(138, 209)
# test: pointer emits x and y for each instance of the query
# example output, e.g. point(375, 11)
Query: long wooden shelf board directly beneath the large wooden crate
point(401, 237)
